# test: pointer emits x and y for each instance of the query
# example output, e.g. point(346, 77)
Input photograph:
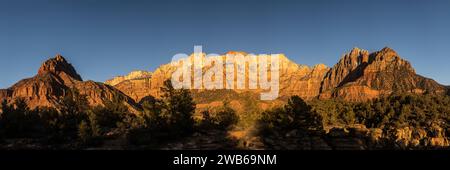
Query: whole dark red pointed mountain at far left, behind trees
point(56, 78)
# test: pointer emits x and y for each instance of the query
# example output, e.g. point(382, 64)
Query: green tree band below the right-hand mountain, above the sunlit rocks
point(396, 111)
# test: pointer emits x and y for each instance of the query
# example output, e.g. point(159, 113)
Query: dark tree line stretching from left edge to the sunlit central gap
point(167, 118)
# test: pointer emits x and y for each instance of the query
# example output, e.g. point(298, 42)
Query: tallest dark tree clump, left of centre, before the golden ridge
point(167, 118)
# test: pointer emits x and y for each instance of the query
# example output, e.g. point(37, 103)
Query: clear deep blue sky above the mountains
point(105, 38)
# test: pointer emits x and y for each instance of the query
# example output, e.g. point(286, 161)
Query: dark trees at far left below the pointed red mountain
point(74, 120)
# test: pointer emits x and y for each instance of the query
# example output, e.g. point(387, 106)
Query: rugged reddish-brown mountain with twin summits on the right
point(360, 76)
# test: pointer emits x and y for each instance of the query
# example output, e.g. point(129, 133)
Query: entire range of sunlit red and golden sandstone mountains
point(358, 76)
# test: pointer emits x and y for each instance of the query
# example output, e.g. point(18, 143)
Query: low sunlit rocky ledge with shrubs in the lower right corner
point(358, 137)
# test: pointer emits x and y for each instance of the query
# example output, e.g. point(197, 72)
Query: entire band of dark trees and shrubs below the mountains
point(404, 121)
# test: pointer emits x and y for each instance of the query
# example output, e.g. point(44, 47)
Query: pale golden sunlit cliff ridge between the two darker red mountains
point(292, 76)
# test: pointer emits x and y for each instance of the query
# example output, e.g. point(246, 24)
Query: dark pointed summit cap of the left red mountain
point(59, 66)
